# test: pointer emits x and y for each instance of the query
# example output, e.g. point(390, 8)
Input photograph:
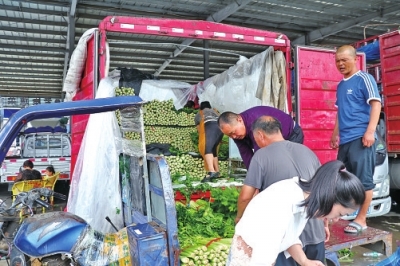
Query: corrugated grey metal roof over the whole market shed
point(37, 37)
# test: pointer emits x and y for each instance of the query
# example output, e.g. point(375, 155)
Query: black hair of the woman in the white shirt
point(332, 184)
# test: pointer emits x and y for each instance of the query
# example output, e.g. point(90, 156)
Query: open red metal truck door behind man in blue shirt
point(317, 78)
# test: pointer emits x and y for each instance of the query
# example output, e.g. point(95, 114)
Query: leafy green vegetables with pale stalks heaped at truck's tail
point(206, 228)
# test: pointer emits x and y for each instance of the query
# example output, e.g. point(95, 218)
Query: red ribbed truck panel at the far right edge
point(390, 62)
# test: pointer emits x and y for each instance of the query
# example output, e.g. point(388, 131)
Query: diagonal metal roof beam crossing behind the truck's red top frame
point(216, 17)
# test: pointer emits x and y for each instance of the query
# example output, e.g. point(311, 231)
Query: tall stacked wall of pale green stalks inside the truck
point(166, 125)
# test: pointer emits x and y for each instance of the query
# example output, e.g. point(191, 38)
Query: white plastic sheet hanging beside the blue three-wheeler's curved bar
point(95, 191)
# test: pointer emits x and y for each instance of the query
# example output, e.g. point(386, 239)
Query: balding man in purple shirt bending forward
point(238, 127)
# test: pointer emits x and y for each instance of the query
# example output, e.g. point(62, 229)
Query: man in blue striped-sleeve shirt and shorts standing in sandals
point(359, 107)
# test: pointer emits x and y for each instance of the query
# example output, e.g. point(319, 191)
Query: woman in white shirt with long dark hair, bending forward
point(275, 218)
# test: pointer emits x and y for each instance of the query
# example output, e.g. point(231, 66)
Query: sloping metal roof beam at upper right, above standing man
point(321, 33)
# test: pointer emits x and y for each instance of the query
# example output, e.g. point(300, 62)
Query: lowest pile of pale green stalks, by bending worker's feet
point(186, 164)
